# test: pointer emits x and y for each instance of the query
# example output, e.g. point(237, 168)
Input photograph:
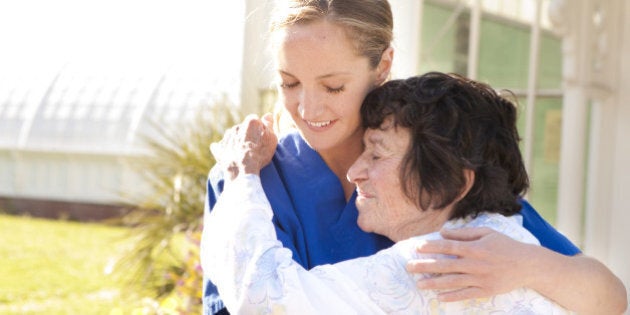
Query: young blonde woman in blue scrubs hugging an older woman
point(330, 54)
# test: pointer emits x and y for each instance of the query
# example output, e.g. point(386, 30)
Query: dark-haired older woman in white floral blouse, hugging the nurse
point(440, 151)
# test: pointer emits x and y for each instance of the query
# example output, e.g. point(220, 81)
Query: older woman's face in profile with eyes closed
point(383, 206)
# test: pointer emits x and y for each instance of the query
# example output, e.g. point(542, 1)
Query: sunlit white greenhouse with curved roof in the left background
point(71, 118)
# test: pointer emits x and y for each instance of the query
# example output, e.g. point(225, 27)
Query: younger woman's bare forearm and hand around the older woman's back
point(490, 263)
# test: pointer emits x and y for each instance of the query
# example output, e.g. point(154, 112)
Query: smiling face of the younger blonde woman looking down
point(323, 83)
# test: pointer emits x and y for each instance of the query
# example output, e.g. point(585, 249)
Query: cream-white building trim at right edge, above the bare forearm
point(596, 46)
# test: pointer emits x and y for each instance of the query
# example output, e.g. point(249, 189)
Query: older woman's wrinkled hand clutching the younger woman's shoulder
point(247, 147)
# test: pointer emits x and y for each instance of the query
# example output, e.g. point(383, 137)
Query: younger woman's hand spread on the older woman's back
point(487, 263)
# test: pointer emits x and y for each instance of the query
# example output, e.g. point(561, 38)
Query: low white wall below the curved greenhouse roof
point(65, 176)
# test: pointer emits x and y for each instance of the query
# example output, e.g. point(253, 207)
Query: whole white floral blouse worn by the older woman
point(256, 275)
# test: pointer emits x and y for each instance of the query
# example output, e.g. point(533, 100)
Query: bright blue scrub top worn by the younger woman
point(313, 219)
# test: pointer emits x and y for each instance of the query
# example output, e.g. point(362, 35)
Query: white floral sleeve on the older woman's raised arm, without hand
point(255, 274)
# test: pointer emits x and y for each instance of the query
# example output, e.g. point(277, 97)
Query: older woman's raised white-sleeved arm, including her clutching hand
point(240, 252)
